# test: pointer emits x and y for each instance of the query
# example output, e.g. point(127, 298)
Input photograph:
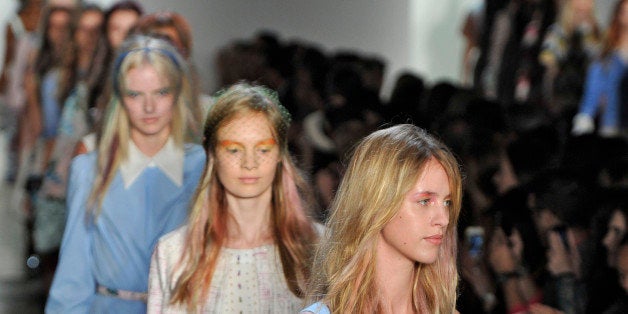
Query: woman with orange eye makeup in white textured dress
point(248, 242)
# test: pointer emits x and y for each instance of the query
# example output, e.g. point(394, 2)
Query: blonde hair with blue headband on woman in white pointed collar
point(113, 143)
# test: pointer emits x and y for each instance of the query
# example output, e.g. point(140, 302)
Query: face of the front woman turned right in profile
point(416, 232)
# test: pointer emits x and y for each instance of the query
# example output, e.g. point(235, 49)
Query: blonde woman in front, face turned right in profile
point(390, 244)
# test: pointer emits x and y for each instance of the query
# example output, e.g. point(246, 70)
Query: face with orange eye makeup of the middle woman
point(247, 156)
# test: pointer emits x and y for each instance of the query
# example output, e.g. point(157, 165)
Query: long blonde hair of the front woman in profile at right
point(384, 167)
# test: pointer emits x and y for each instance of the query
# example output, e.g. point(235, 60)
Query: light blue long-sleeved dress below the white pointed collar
point(115, 251)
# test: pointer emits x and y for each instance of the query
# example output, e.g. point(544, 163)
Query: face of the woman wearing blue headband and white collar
point(149, 101)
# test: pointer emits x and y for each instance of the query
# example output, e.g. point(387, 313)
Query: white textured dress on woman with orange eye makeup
point(245, 281)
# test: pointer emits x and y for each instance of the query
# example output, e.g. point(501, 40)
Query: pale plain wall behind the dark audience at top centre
point(420, 35)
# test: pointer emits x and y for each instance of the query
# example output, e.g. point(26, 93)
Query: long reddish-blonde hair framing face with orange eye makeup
point(207, 229)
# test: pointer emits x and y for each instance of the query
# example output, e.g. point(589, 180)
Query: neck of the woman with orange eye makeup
point(250, 223)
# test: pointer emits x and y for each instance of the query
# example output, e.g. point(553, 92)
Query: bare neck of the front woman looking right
point(394, 275)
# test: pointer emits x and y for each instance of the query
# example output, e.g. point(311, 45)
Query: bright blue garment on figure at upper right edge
point(603, 80)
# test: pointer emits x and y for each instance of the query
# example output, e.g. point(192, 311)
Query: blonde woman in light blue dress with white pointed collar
point(134, 188)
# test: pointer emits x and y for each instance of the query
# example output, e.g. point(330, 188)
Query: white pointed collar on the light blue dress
point(169, 160)
